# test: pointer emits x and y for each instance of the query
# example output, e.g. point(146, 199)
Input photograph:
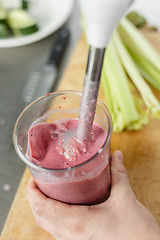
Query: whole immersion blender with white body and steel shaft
point(102, 17)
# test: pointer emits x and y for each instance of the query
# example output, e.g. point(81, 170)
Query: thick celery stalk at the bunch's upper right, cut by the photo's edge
point(133, 38)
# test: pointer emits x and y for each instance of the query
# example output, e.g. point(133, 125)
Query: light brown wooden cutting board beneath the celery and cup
point(141, 157)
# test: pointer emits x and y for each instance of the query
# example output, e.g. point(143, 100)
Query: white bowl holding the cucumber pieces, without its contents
point(50, 15)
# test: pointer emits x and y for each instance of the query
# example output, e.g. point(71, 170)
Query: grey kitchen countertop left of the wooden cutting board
point(15, 66)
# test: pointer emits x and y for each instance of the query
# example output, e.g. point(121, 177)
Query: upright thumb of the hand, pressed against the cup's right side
point(120, 183)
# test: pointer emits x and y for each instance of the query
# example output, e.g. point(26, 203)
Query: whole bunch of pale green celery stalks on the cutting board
point(130, 60)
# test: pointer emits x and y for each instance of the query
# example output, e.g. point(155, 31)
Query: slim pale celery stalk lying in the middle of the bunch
point(129, 65)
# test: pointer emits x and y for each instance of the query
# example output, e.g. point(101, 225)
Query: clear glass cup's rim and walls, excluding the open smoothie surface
point(86, 183)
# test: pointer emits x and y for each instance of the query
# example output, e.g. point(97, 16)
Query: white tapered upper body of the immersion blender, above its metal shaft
point(102, 17)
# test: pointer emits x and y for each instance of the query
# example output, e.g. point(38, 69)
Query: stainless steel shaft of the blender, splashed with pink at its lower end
point(90, 93)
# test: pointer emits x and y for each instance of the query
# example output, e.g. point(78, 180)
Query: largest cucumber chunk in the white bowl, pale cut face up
point(21, 22)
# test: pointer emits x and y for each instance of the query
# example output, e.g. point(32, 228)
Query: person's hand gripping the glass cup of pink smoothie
point(121, 217)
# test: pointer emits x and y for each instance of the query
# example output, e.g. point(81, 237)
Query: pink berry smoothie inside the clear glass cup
point(80, 180)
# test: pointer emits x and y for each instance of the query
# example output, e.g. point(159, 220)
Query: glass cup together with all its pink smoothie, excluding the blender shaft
point(64, 168)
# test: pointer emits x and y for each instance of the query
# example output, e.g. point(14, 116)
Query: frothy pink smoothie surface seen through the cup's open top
point(53, 145)
